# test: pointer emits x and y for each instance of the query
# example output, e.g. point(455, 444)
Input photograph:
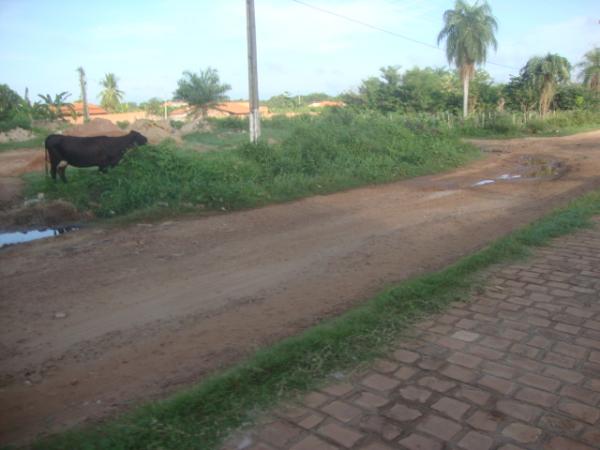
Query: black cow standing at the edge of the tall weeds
point(101, 151)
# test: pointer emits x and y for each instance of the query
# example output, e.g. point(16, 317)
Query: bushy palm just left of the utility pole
point(202, 90)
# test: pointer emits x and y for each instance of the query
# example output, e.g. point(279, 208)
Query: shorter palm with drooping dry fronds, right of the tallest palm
point(544, 73)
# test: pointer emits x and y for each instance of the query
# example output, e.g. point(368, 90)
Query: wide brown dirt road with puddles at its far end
point(97, 320)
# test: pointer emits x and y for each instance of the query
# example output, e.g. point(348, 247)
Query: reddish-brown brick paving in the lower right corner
point(516, 368)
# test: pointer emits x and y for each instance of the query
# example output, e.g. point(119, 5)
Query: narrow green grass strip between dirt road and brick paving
point(201, 416)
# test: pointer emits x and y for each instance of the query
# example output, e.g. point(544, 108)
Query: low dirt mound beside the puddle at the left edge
point(40, 213)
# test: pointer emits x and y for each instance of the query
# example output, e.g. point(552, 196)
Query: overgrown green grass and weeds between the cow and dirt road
point(313, 155)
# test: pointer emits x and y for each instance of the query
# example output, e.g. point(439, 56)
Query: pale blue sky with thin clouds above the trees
point(148, 44)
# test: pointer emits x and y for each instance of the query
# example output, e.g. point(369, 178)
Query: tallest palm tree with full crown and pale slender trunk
point(469, 31)
